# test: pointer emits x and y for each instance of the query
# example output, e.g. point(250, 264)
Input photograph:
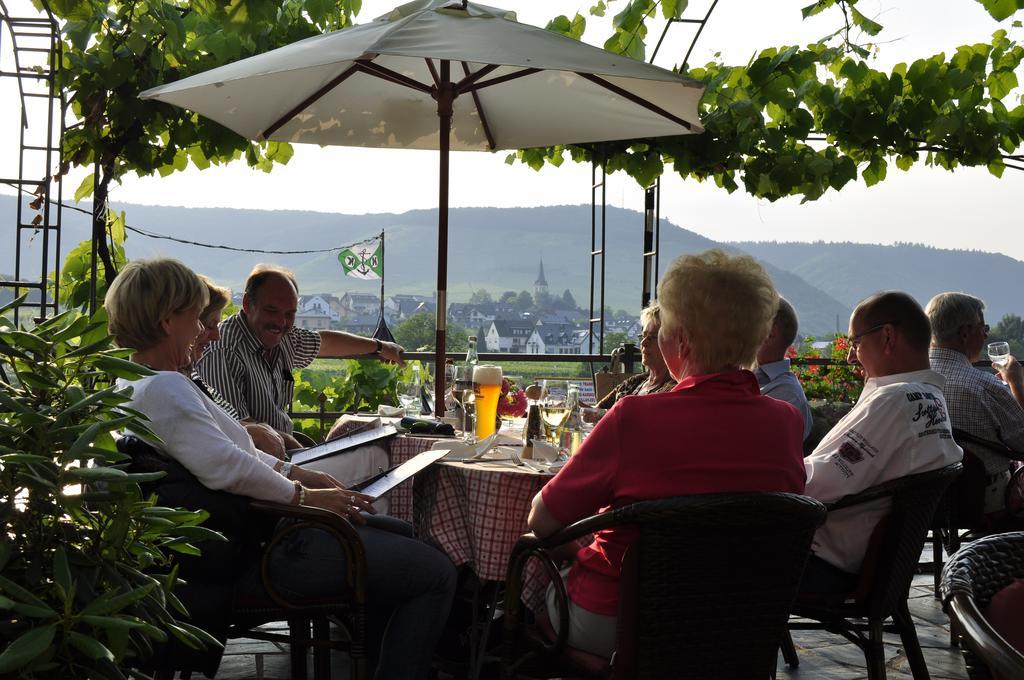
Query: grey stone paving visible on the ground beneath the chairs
point(823, 657)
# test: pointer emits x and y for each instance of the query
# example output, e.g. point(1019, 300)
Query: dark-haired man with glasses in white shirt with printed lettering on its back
point(899, 428)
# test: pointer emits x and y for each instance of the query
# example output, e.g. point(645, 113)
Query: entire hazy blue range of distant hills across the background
point(500, 249)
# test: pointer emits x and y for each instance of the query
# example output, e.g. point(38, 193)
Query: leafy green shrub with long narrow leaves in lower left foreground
point(87, 583)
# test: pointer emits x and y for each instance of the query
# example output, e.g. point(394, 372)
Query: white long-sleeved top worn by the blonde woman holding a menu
point(200, 436)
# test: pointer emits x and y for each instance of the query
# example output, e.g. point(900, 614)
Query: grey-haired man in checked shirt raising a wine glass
point(980, 404)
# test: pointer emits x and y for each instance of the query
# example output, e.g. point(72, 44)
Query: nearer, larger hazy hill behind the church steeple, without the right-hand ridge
point(490, 248)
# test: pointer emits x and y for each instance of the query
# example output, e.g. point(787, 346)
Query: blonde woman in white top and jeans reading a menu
point(154, 307)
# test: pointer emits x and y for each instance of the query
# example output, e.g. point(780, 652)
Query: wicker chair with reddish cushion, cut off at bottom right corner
point(970, 580)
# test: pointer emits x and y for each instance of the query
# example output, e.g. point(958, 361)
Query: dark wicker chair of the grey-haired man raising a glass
point(961, 516)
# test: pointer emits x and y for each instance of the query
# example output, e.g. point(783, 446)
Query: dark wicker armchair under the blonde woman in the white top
point(253, 531)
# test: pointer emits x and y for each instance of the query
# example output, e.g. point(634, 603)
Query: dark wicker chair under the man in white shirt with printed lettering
point(885, 578)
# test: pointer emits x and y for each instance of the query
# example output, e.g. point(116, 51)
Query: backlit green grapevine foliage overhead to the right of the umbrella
point(798, 121)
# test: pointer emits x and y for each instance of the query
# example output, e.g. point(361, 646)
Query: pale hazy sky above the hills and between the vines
point(966, 209)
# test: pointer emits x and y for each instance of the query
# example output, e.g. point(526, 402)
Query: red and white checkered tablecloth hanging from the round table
point(476, 515)
